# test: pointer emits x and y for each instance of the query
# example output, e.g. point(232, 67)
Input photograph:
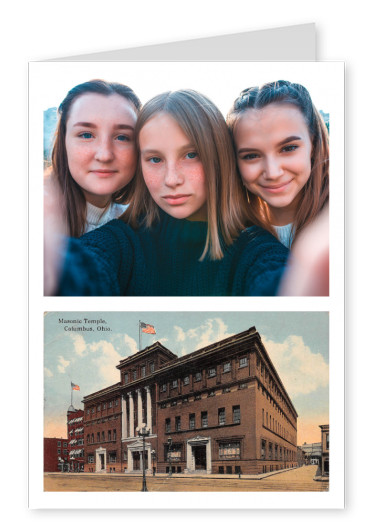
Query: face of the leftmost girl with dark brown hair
point(100, 145)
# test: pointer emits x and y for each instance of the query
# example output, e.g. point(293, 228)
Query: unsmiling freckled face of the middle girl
point(172, 169)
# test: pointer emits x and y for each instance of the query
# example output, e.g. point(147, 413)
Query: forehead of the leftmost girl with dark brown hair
point(94, 107)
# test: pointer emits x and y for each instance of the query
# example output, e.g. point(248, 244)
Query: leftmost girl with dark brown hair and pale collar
point(94, 156)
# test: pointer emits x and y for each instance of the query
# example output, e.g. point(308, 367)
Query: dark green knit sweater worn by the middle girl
point(164, 260)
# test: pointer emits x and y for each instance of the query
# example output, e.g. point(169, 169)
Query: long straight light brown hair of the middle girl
point(204, 125)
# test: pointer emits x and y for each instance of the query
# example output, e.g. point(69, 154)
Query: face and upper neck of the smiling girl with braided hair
point(273, 149)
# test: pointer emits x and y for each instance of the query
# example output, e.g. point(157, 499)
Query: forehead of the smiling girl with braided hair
point(275, 117)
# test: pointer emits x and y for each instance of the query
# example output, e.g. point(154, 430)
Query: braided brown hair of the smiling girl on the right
point(315, 193)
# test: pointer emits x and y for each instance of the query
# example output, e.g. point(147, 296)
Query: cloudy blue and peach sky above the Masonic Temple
point(297, 343)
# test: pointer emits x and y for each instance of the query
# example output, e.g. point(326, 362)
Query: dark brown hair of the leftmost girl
point(74, 202)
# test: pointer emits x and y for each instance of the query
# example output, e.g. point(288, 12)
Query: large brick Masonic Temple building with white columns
point(221, 409)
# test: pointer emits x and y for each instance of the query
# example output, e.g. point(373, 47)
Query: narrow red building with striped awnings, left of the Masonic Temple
point(75, 429)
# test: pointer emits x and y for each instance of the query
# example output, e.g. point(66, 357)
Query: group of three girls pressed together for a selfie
point(170, 198)
